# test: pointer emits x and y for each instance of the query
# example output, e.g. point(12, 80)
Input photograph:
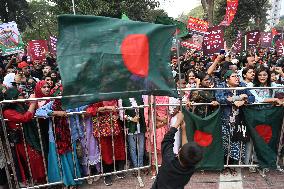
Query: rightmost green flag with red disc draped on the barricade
point(264, 127)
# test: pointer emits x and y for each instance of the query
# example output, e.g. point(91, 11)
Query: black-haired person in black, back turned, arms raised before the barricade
point(176, 171)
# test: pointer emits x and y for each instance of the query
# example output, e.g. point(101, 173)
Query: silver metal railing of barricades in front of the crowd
point(11, 165)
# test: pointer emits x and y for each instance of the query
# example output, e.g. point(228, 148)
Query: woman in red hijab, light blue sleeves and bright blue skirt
point(60, 144)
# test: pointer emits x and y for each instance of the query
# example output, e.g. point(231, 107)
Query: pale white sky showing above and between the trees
point(176, 7)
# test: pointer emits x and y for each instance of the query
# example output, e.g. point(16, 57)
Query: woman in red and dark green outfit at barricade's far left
point(22, 131)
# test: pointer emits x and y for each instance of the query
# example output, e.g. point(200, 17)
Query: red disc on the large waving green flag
point(135, 54)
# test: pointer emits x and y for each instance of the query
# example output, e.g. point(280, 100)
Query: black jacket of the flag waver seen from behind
point(171, 174)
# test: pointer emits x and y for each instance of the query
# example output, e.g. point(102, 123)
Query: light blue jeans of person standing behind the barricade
point(136, 148)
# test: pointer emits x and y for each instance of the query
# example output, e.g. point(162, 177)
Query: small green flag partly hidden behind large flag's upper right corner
point(181, 30)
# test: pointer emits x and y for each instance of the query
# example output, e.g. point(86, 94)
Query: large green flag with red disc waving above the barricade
point(104, 58)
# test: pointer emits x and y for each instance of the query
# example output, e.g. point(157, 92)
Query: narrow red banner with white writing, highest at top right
point(231, 10)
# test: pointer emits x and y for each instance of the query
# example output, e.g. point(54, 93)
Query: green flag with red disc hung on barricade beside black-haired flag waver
point(206, 132)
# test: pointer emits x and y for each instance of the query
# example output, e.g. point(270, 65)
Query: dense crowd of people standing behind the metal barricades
point(57, 146)
